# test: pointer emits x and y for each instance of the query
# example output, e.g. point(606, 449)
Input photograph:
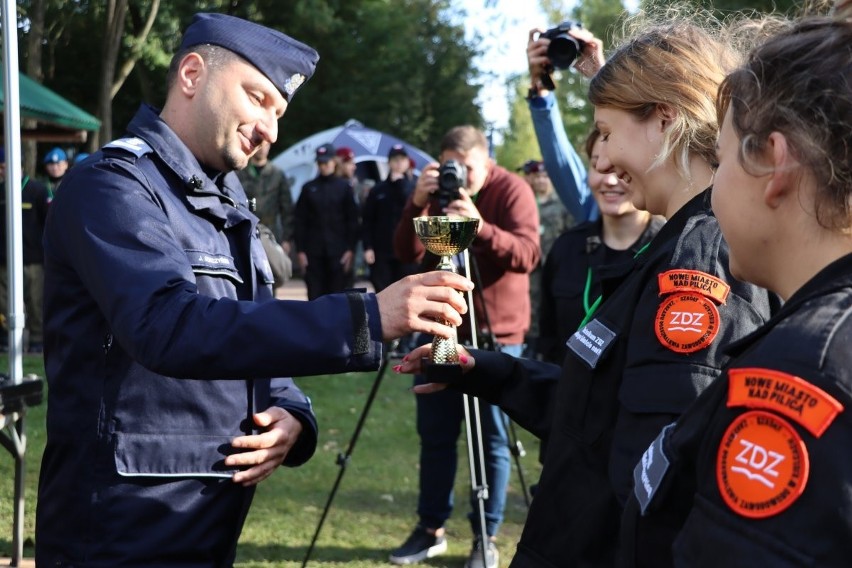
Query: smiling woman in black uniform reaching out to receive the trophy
point(656, 339)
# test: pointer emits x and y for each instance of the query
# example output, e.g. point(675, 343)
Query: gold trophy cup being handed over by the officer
point(445, 236)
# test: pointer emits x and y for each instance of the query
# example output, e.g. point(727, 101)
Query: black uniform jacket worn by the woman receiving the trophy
point(599, 420)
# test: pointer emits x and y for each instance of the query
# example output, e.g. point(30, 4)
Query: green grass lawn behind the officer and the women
point(374, 509)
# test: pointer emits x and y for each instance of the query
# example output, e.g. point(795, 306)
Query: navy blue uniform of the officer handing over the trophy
point(161, 340)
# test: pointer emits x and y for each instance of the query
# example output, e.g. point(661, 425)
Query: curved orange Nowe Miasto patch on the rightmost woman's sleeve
point(786, 394)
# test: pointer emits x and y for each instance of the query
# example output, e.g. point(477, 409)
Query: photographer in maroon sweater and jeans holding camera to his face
point(505, 251)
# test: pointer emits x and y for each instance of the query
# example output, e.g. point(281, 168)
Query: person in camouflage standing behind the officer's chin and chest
point(268, 186)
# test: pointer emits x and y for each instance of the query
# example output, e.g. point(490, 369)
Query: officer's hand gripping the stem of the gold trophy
point(417, 302)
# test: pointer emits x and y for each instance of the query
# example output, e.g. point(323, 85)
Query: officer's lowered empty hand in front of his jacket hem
point(268, 449)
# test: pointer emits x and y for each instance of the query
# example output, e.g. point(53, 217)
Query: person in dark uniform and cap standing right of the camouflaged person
point(326, 228)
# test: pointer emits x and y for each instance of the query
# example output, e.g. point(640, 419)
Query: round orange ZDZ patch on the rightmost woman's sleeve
point(762, 466)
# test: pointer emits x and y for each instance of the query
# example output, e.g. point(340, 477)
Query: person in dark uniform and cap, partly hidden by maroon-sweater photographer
point(381, 213)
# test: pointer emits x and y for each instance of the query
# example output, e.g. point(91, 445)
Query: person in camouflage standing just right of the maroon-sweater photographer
point(554, 218)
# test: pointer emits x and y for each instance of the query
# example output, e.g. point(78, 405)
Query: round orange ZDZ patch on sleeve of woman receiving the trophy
point(686, 322)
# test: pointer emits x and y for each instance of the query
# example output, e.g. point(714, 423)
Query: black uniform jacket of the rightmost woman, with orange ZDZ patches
point(758, 472)
